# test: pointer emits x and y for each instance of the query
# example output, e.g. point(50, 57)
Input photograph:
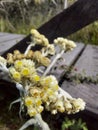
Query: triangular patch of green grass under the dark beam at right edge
point(87, 35)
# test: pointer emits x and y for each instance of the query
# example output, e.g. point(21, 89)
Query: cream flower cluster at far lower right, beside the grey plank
point(69, 106)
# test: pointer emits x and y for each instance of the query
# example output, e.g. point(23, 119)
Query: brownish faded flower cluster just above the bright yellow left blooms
point(36, 57)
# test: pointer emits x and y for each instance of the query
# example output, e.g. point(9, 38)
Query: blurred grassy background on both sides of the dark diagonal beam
point(22, 15)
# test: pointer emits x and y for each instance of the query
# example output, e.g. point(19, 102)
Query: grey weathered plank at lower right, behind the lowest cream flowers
point(87, 92)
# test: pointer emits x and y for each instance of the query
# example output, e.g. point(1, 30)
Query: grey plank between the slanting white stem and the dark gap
point(68, 59)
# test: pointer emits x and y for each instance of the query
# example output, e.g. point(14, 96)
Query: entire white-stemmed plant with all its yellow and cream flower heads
point(38, 89)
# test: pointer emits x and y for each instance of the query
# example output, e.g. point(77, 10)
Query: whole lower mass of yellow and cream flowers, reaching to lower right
point(46, 93)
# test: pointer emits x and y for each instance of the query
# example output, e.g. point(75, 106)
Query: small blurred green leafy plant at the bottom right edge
point(73, 124)
